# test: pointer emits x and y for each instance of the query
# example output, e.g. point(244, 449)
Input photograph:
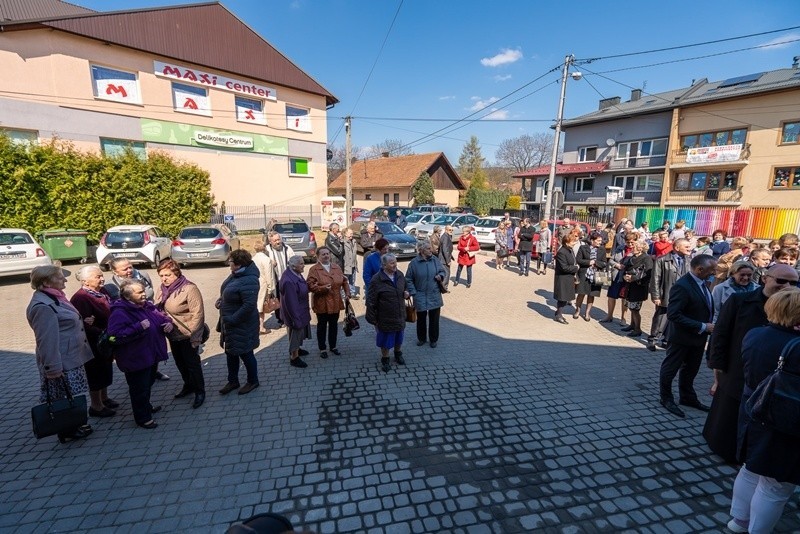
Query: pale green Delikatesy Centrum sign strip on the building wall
point(176, 133)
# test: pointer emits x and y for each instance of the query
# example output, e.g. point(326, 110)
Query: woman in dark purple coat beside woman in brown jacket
point(294, 291)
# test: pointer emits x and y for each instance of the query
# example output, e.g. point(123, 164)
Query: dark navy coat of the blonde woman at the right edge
point(766, 452)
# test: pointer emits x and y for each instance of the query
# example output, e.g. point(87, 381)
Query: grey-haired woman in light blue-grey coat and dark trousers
point(424, 279)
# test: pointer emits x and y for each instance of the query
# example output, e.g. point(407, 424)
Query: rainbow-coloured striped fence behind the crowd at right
point(759, 223)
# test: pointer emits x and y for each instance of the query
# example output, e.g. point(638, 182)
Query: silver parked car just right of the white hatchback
point(204, 243)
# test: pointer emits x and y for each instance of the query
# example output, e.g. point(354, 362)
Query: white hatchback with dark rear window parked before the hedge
point(141, 244)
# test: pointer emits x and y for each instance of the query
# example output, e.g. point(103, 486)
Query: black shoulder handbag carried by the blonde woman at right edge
point(775, 403)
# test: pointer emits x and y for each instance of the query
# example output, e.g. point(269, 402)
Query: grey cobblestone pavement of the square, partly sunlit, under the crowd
point(514, 423)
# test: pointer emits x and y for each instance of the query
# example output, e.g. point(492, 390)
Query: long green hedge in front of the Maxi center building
point(56, 186)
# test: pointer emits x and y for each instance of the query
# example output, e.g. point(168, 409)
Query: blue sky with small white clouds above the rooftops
point(446, 59)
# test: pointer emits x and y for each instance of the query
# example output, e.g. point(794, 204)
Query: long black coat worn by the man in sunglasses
point(740, 314)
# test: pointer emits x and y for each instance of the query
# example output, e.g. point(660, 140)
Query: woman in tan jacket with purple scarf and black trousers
point(181, 300)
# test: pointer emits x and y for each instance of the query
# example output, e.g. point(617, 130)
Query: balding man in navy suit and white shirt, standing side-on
point(690, 312)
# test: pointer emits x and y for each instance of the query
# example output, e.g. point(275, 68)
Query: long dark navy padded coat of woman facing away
point(239, 311)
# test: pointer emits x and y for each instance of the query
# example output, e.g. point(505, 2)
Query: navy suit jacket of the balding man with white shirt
point(687, 312)
